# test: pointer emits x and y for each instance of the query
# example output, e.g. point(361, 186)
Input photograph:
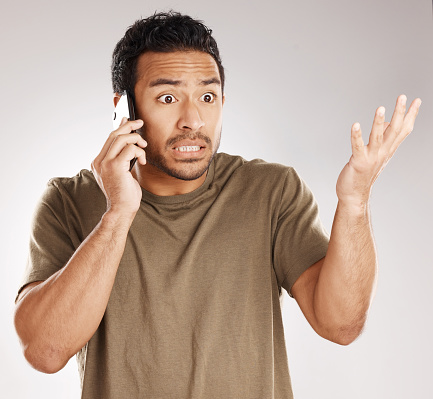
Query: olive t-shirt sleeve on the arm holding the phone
point(50, 244)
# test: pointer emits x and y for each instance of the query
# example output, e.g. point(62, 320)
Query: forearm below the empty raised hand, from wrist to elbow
point(347, 279)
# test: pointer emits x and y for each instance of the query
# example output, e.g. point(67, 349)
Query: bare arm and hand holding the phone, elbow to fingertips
point(54, 319)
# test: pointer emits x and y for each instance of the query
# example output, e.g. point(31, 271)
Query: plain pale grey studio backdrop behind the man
point(299, 74)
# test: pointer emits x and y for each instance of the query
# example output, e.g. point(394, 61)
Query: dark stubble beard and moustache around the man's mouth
point(189, 169)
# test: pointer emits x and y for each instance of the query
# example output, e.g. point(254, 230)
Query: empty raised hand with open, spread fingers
point(367, 161)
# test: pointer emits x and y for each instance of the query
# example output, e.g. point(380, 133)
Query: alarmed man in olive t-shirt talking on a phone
point(166, 279)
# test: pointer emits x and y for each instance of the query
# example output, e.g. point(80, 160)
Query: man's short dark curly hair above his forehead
point(162, 33)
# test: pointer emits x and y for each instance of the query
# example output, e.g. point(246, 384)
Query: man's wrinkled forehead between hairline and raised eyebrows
point(179, 65)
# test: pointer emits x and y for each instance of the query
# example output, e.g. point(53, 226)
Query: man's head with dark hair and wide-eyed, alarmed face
point(170, 65)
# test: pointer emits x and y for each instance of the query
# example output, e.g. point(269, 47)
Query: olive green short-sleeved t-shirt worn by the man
point(194, 311)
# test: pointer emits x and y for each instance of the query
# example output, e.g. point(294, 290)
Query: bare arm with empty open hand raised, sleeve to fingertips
point(335, 293)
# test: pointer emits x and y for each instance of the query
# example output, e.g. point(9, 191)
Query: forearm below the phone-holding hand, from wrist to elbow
point(55, 319)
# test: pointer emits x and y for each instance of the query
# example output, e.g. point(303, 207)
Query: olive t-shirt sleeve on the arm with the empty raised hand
point(300, 239)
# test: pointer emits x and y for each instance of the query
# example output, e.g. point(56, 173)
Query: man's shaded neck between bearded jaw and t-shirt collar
point(159, 183)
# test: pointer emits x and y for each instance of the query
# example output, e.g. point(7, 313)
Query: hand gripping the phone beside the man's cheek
point(111, 167)
